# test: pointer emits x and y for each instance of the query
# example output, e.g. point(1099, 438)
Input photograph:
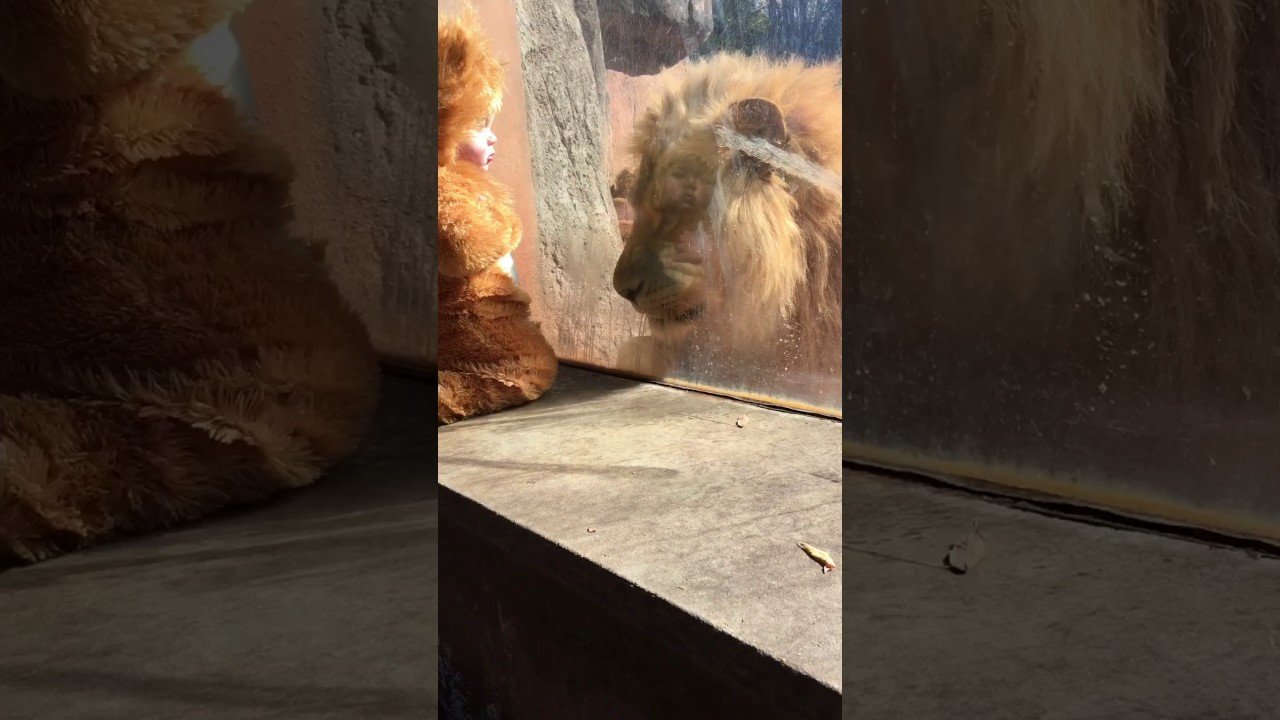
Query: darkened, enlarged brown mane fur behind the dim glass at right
point(1101, 142)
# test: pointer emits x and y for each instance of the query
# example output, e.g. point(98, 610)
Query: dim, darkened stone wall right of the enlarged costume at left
point(342, 86)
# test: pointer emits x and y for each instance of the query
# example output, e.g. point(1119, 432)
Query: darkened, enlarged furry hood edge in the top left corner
point(65, 49)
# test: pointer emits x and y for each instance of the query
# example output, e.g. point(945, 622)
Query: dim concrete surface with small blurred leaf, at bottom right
point(1059, 621)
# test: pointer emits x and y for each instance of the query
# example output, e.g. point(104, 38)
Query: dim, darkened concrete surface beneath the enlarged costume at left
point(322, 605)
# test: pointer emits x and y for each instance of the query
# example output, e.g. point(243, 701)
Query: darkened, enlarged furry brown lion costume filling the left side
point(166, 349)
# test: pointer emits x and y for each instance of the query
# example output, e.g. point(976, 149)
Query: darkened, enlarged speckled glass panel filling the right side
point(1066, 252)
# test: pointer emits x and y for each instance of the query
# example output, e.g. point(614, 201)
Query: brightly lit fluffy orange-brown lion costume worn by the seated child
point(492, 356)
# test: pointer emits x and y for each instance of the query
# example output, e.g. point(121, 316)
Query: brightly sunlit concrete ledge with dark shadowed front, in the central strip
point(689, 600)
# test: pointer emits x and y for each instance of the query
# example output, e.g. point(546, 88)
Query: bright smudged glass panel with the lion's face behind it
point(710, 136)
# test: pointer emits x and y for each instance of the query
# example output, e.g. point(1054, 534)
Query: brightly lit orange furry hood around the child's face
point(472, 80)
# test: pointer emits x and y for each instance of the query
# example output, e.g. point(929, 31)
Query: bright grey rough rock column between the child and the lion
point(578, 236)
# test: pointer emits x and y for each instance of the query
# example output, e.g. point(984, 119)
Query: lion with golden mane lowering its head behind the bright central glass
point(733, 261)
